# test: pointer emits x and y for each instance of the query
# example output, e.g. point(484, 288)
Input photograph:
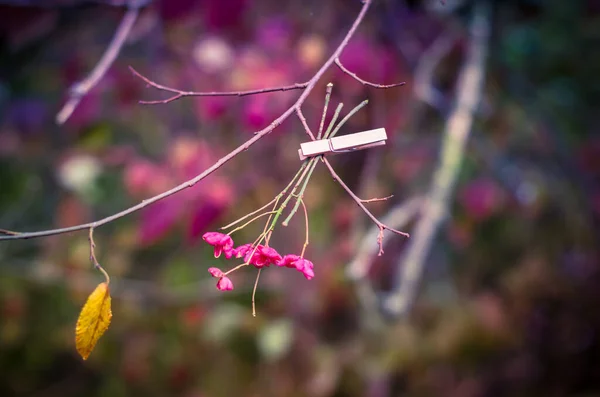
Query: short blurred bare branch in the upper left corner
point(80, 89)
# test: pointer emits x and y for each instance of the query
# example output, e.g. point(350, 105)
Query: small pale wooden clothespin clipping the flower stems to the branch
point(344, 143)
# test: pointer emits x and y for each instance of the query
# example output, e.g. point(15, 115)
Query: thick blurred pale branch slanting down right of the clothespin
point(456, 133)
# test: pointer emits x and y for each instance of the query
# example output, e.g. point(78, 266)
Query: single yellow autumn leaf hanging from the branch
point(93, 321)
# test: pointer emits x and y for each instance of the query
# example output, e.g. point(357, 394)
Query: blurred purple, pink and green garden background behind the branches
point(509, 303)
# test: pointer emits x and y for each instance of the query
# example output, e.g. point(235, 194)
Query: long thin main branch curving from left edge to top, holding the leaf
point(256, 137)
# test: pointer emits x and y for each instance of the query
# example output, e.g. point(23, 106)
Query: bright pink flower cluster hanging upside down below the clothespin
point(258, 256)
